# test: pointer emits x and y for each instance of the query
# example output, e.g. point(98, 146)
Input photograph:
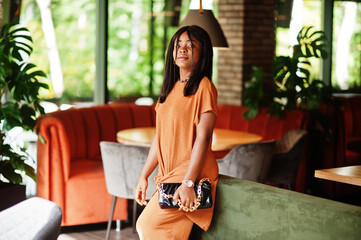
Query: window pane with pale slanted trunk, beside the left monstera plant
point(64, 46)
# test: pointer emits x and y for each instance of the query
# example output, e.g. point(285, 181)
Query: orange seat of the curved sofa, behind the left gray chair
point(86, 191)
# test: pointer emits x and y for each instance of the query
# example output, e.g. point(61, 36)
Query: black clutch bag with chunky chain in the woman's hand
point(202, 191)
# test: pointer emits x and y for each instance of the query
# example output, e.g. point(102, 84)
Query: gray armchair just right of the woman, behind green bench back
point(248, 161)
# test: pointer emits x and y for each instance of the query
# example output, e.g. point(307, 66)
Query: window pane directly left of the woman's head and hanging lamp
point(137, 45)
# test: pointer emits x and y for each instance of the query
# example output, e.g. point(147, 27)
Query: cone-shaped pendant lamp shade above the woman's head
point(208, 22)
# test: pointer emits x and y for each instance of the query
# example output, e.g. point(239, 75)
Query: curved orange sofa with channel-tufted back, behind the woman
point(70, 171)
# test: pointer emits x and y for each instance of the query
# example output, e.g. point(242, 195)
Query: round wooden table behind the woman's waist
point(223, 139)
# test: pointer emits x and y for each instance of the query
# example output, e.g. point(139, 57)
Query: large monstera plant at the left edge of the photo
point(19, 93)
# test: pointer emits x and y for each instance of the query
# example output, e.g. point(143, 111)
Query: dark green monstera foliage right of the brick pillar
point(293, 87)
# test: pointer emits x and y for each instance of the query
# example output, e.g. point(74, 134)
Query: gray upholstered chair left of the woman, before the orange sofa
point(122, 167)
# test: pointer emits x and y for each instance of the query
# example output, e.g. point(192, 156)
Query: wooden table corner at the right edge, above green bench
point(350, 175)
